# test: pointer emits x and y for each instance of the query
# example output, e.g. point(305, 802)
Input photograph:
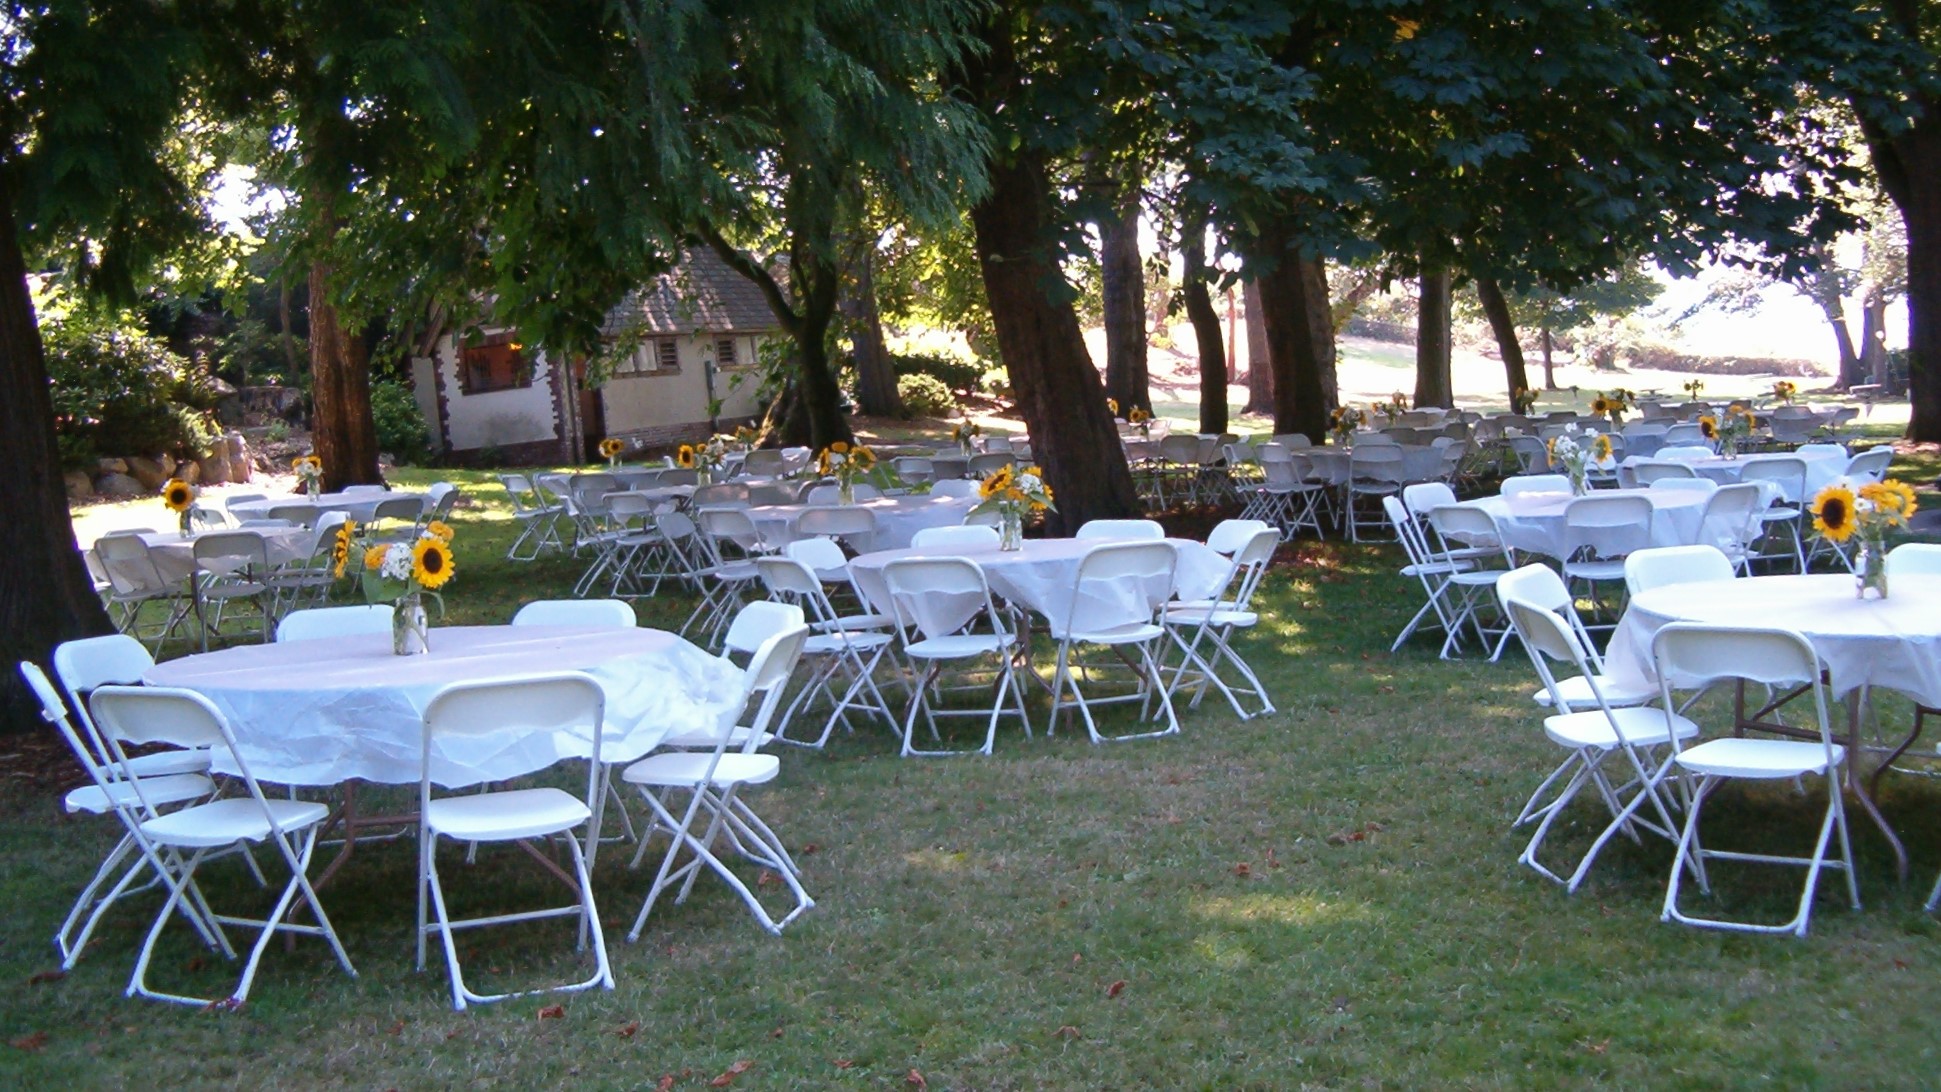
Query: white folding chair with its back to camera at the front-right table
point(1694, 657)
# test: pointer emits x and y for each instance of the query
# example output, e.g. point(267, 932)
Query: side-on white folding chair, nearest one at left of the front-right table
point(1595, 736)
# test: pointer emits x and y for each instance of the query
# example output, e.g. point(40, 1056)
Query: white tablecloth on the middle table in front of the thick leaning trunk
point(1041, 577)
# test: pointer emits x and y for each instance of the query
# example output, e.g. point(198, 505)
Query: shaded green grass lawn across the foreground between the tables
point(1321, 897)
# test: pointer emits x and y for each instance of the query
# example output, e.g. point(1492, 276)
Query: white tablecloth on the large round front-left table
point(323, 713)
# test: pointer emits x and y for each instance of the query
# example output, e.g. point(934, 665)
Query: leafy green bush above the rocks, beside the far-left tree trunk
point(119, 393)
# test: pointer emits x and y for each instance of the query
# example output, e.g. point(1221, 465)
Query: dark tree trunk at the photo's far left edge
point(46, 593)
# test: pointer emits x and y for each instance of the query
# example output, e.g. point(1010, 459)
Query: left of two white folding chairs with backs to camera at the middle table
point(946, 618)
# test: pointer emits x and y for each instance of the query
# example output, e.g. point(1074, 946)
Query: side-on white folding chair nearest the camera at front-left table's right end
point(715, 783)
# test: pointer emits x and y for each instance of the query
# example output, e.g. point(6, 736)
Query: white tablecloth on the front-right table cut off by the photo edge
point(1890, 643)
